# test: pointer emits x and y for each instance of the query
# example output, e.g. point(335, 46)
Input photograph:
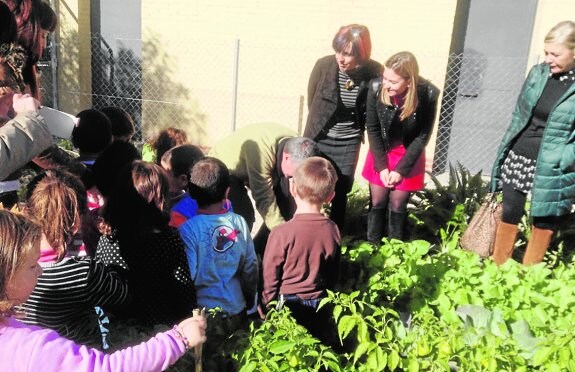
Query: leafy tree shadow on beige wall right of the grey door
point(166, 101)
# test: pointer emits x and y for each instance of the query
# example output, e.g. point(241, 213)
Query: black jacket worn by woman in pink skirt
point(416, 128)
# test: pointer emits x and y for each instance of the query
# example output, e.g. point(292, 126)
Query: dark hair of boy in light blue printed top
point(209, 181)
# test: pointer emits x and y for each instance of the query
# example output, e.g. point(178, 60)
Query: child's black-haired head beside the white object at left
point(93, 133)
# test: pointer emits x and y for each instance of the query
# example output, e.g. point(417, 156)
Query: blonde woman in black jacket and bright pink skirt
point(400, 116)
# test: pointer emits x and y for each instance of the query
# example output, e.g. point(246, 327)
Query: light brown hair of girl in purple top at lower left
point(19, 237)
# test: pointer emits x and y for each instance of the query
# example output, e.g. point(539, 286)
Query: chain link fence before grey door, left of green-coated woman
point(478, 100)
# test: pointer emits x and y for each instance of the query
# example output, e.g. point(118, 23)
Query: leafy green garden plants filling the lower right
point(429, 305)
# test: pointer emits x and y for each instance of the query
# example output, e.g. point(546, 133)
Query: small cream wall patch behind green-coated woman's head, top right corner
point(549, 13)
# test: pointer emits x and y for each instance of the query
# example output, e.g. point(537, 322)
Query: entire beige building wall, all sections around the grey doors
point(188, 52)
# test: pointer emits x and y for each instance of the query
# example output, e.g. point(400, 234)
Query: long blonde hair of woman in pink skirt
point(405, 65)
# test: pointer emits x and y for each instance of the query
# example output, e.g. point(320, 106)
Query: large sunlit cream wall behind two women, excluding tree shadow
point(279, 43)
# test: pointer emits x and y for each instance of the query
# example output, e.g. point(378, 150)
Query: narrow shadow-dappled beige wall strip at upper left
point(74, 68)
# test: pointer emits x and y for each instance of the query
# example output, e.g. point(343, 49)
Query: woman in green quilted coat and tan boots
point(537, 154)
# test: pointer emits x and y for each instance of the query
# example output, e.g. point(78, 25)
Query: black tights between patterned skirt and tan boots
point(514, 206)
